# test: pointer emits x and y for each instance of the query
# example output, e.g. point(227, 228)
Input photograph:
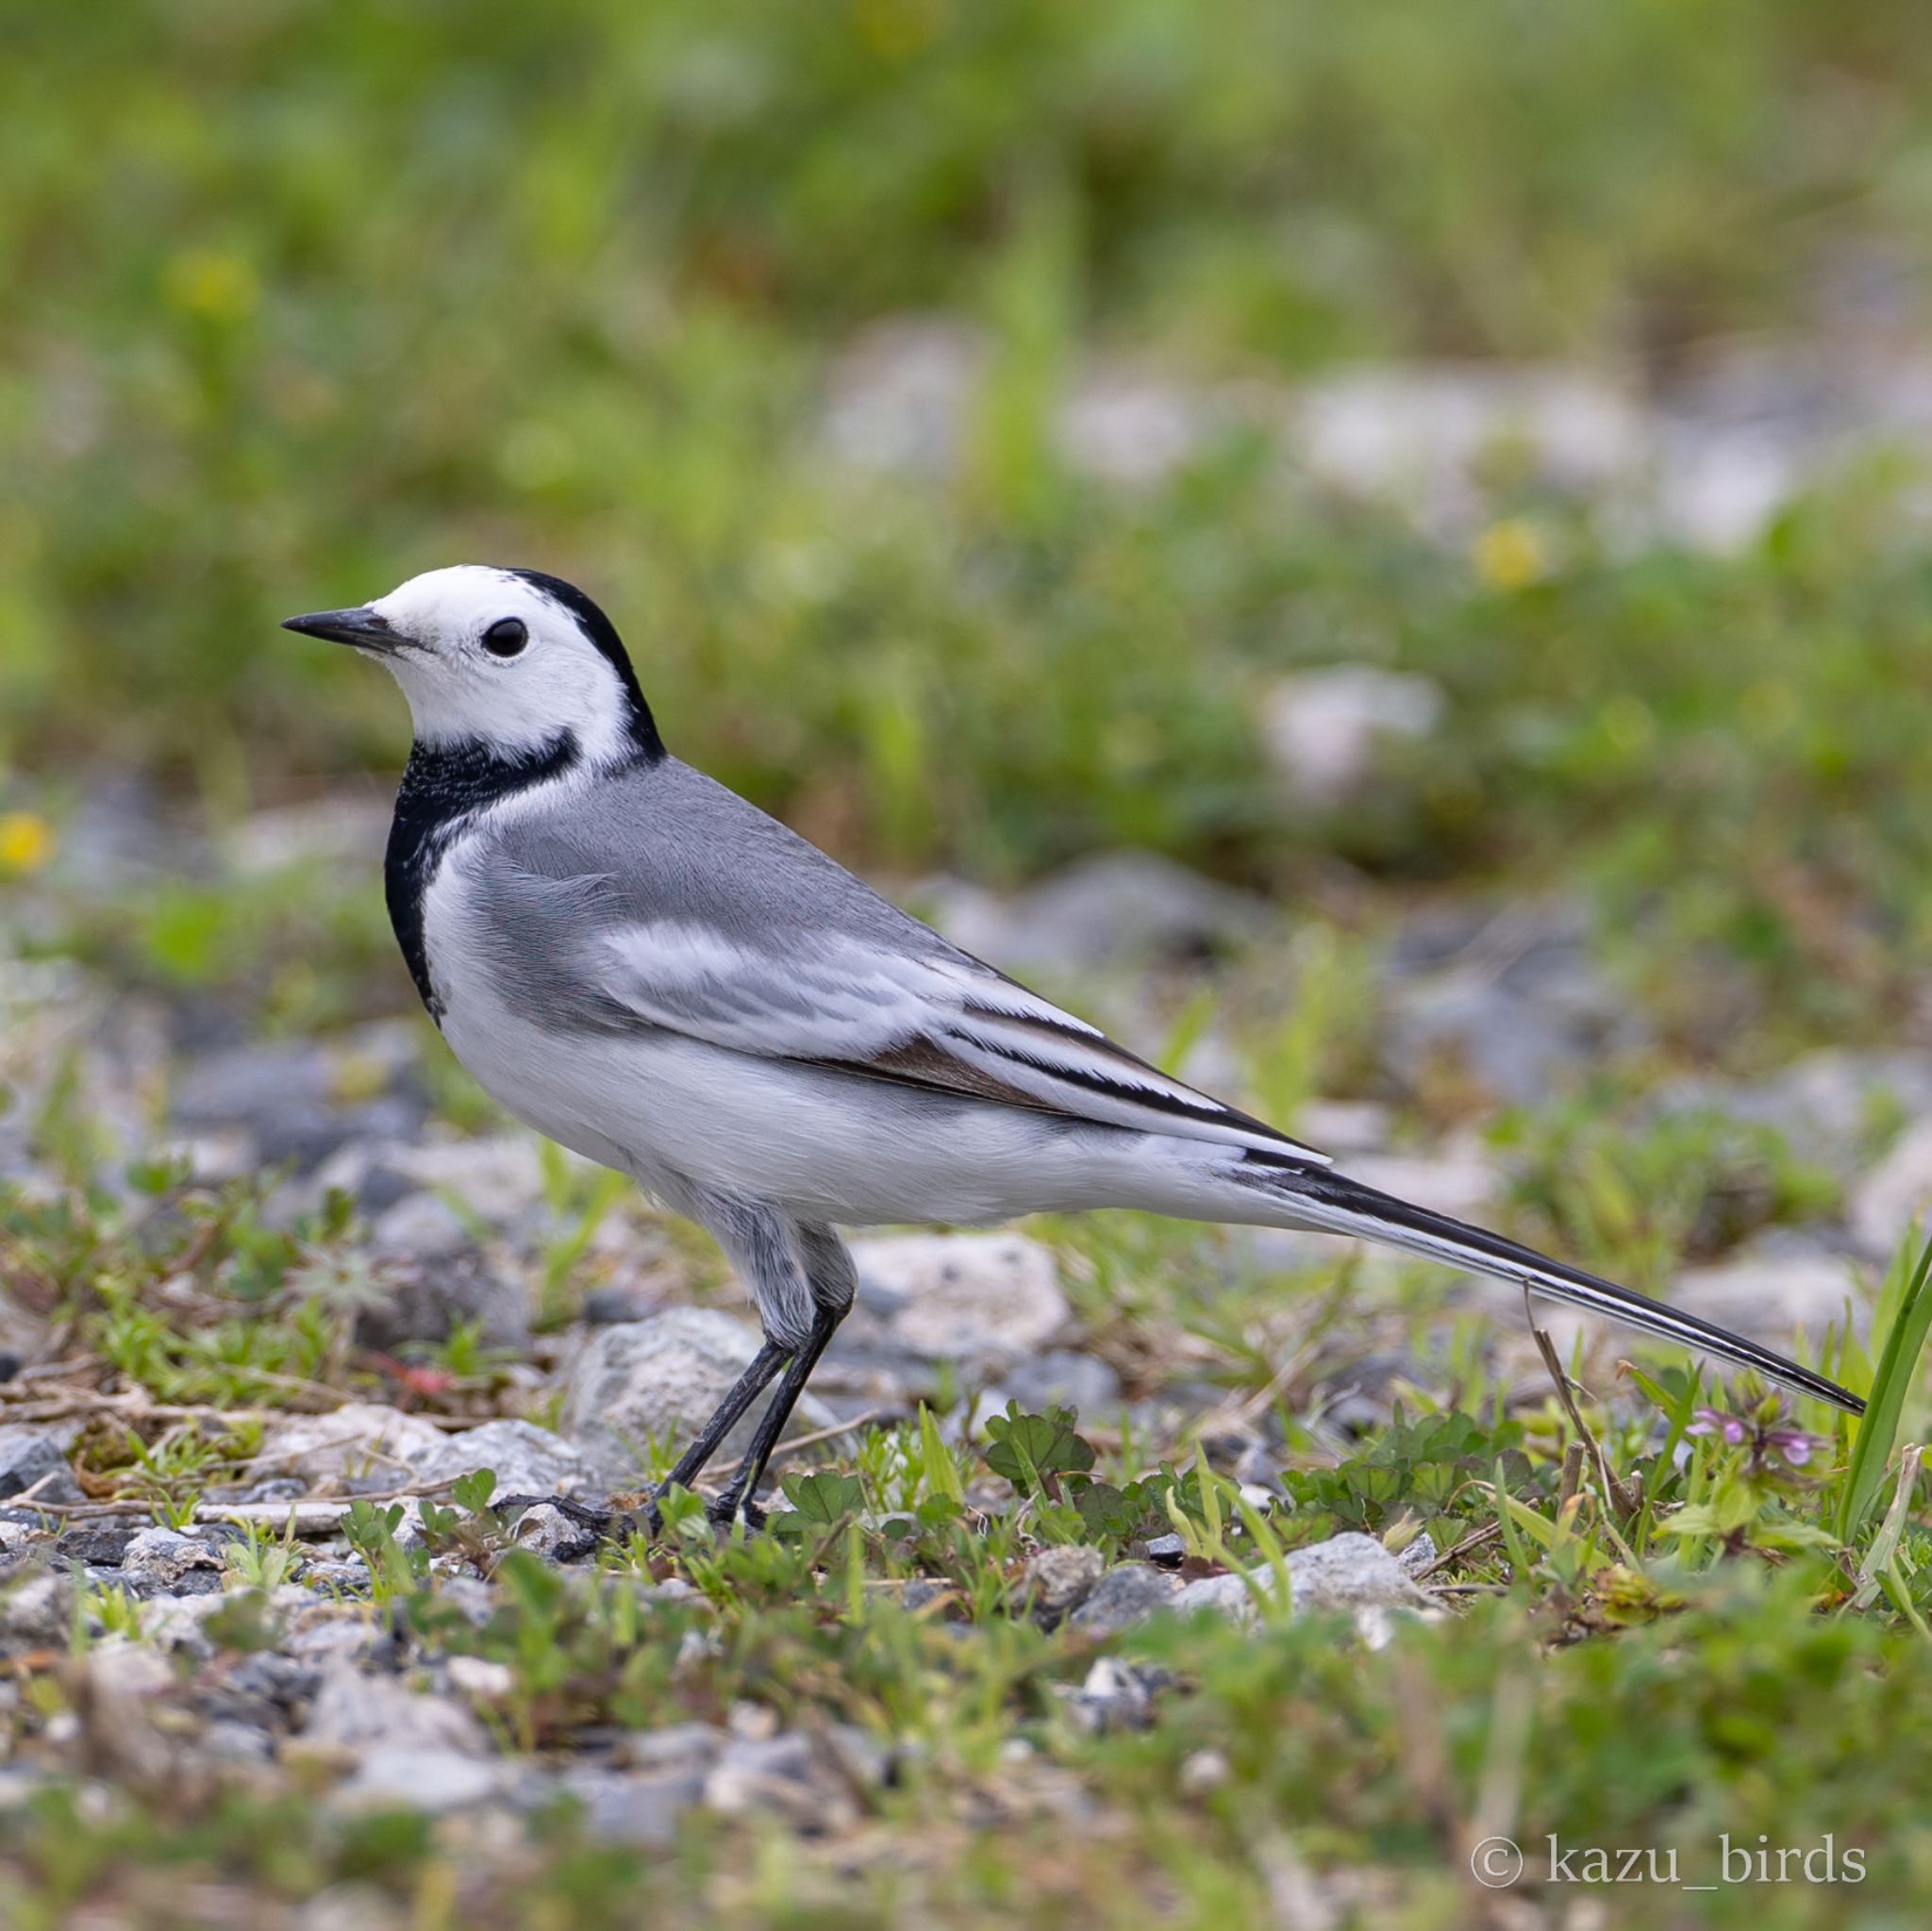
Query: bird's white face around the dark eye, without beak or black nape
point(482, 654)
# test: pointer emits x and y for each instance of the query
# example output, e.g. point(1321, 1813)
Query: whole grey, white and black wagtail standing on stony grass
point(650, 970)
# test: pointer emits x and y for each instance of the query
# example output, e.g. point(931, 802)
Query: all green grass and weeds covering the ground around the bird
point(300, 300)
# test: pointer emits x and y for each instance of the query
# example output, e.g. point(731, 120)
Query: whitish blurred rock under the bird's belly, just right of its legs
point(953, 1297)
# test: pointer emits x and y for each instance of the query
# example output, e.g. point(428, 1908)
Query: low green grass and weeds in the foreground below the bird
point(1678, 1617)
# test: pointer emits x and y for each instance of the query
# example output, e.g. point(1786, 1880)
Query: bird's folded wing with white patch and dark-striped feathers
point(936, 1021)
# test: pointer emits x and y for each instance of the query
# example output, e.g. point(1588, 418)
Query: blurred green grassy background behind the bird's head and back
point(302, 298)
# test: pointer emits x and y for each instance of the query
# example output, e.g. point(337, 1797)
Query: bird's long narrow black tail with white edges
point(1336, 1204)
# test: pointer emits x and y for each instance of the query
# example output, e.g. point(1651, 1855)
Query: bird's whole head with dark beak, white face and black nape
point(509, 659)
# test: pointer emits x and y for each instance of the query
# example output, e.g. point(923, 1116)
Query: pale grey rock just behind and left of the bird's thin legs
point(662, 1380)
